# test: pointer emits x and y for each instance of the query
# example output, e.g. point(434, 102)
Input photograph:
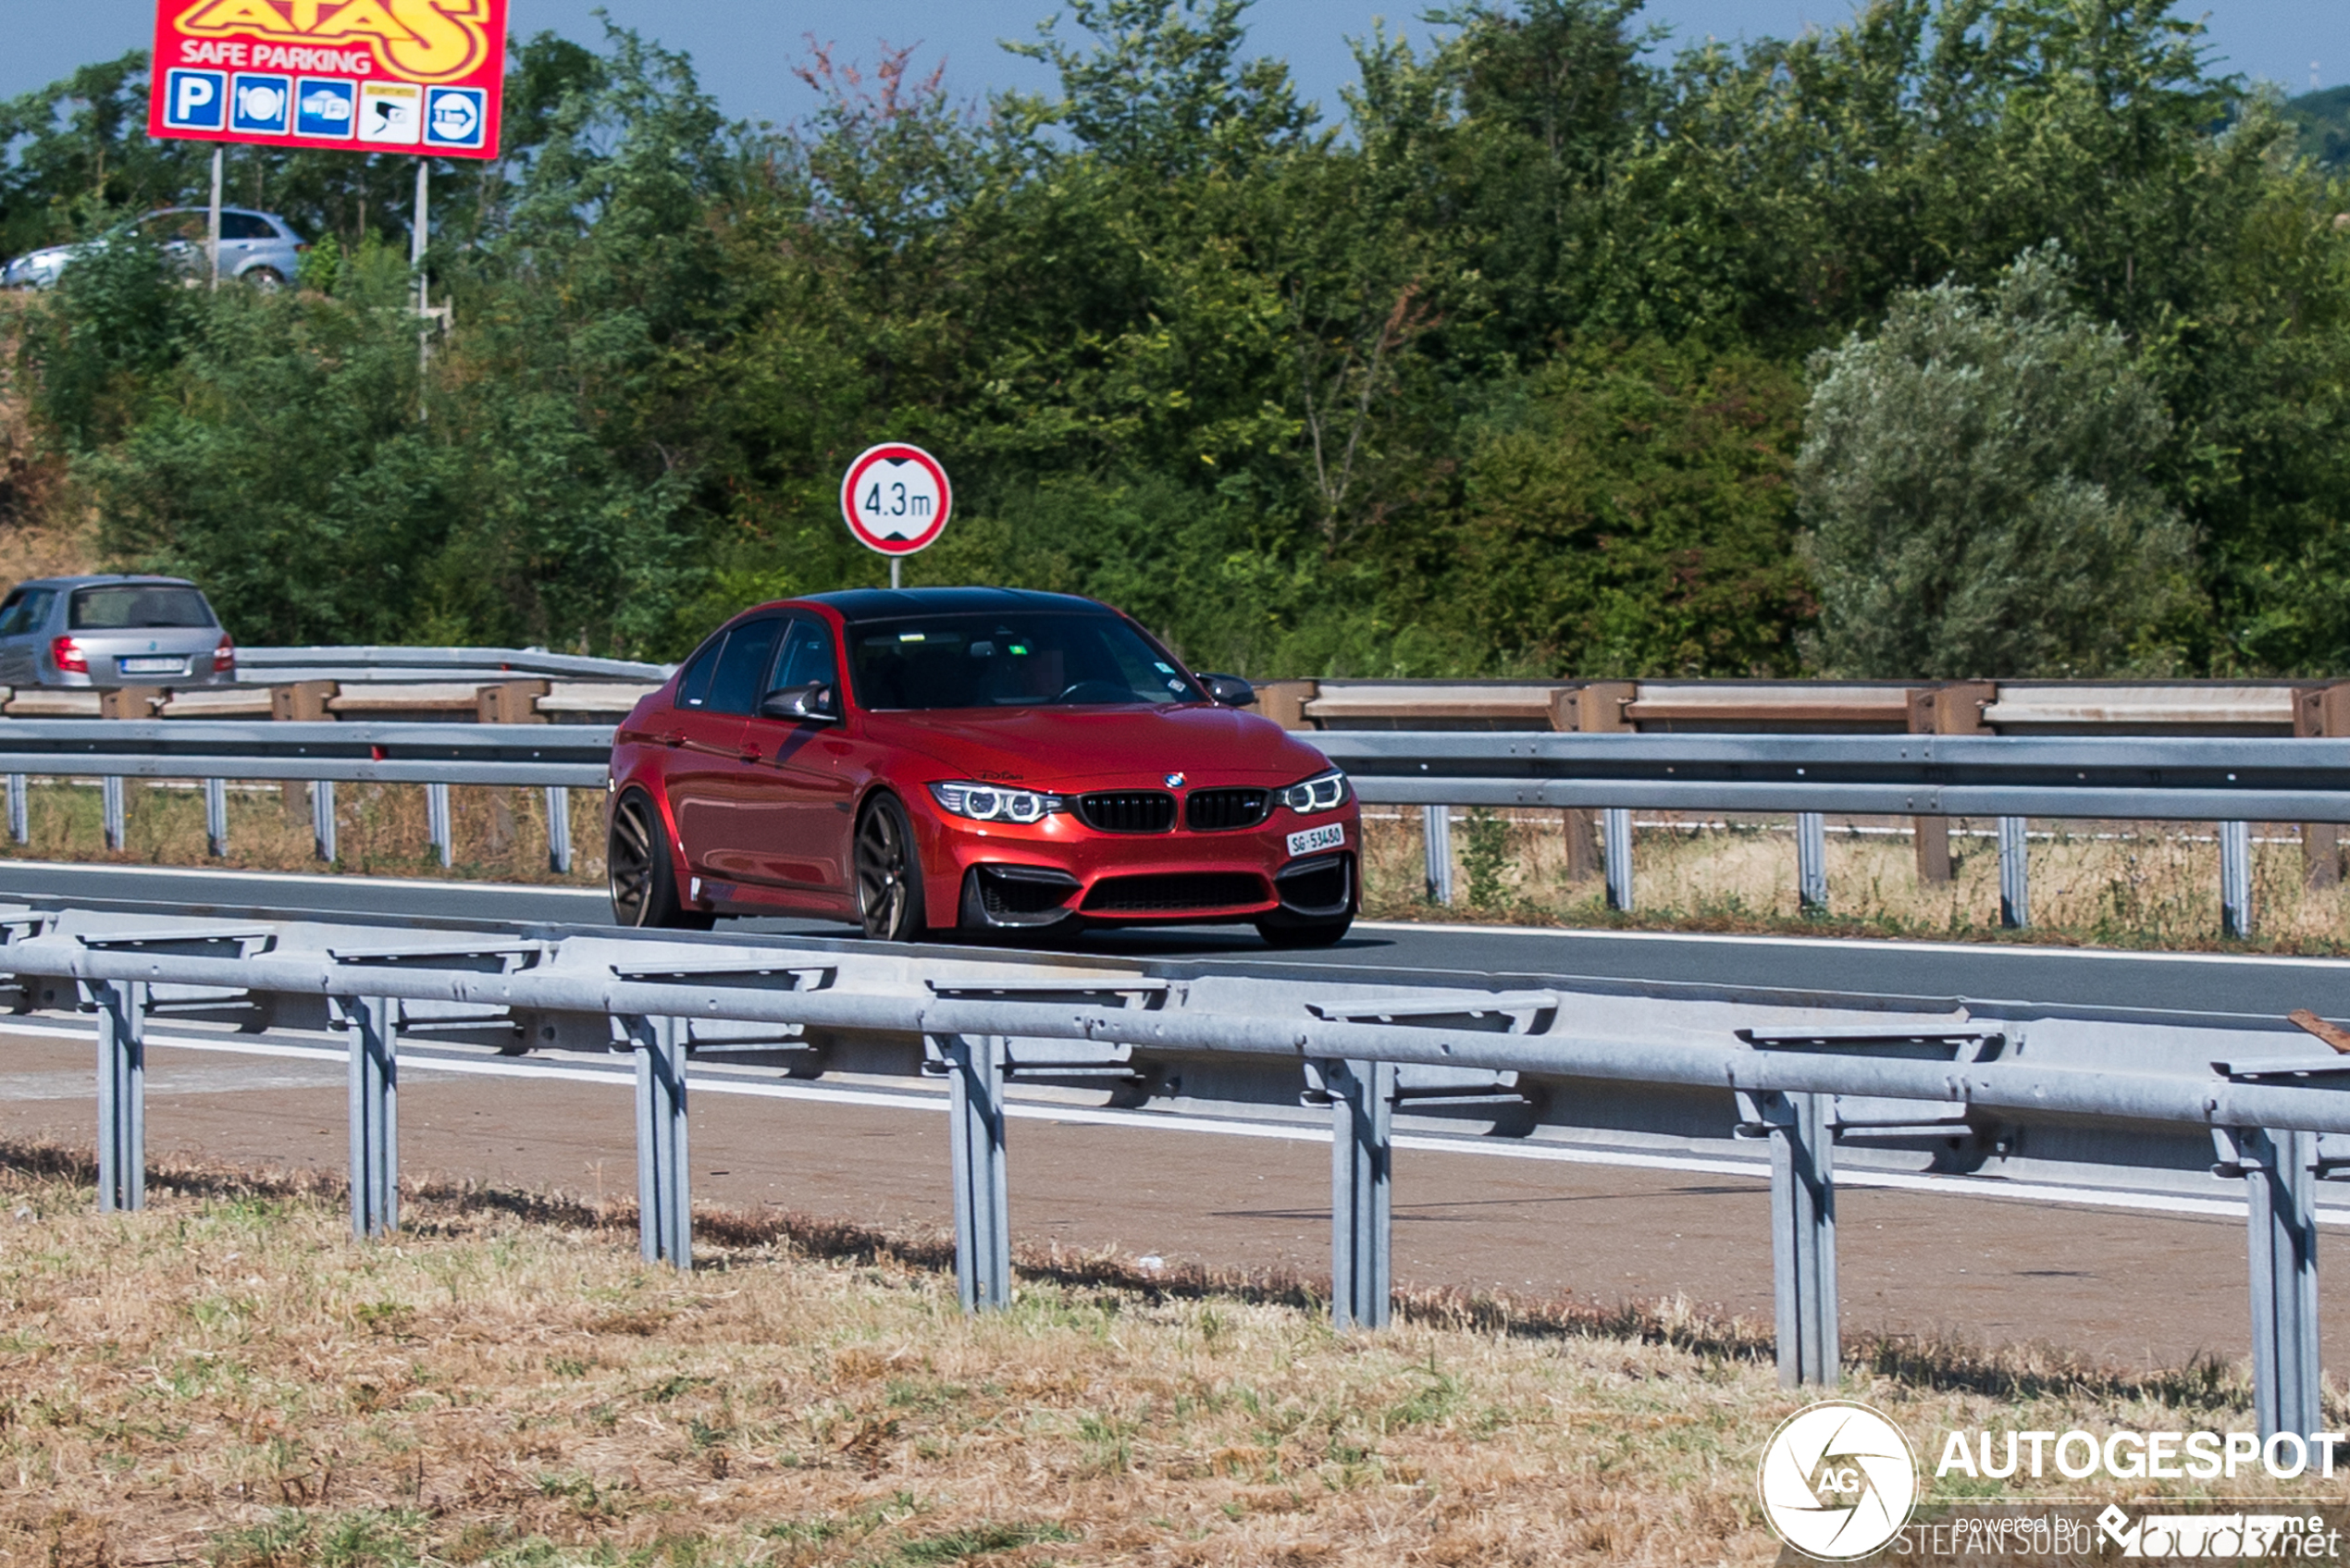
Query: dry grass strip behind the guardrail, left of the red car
point(499, 836)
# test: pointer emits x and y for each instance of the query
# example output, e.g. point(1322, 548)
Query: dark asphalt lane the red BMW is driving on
point(2050, 977)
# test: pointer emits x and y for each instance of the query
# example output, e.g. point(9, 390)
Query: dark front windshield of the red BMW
point(1012, 662)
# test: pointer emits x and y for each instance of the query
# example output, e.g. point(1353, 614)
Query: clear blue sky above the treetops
point(744, 48)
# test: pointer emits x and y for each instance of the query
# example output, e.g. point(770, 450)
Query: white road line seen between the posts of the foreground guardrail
point(1228, 1127)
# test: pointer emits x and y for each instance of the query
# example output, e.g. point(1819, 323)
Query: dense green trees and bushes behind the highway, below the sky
point(1970, 337)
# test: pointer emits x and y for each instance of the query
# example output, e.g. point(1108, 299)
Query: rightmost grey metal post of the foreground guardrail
point(2281, 1212)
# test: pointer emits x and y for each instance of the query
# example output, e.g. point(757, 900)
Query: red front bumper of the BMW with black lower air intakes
point(1054, 873)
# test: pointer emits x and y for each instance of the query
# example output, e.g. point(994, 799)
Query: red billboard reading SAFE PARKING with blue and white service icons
point(358, 76)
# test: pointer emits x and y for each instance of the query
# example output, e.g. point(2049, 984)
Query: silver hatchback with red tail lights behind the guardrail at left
point(114, 631)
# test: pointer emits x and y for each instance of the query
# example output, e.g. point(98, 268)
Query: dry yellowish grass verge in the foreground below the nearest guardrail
point(229, 1379)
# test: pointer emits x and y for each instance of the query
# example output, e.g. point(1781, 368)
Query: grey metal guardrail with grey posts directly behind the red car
point(2224, 779)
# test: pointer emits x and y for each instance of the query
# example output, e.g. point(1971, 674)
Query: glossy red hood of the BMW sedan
point(1070, 749)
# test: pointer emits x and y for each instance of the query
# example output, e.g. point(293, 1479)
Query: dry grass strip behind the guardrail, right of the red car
point(2126, 885)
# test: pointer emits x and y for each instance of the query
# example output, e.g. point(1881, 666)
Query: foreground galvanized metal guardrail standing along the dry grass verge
point(2119, 1099)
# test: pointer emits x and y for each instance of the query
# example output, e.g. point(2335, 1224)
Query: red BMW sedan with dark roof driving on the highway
point(969, 760)
